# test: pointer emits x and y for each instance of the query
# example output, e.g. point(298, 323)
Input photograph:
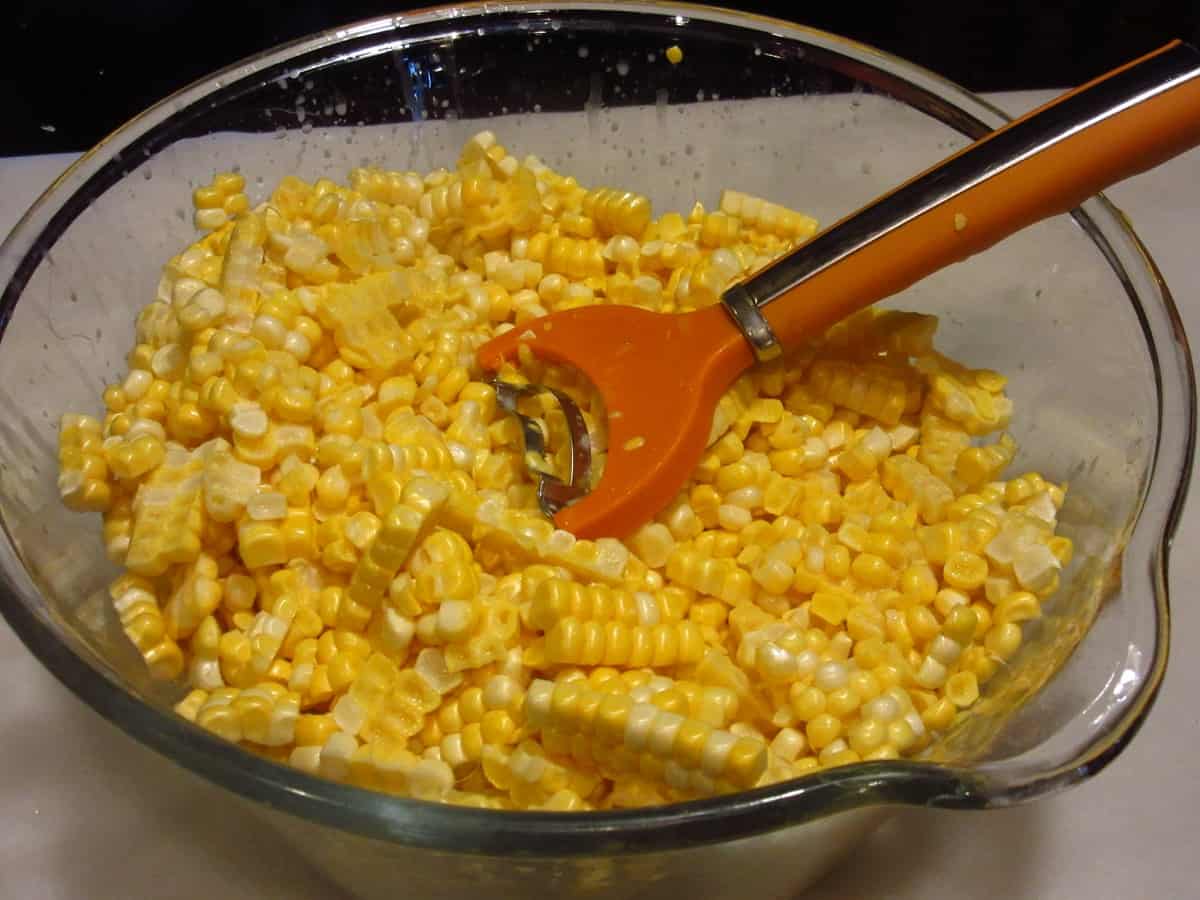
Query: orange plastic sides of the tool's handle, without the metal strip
point(1052, 182)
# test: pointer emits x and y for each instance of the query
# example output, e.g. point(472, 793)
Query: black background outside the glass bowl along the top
point(85, 70)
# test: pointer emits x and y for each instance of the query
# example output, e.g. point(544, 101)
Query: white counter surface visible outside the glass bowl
point(87, 813)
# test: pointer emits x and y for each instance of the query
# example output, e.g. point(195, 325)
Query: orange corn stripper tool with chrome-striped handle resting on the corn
point(662, 375)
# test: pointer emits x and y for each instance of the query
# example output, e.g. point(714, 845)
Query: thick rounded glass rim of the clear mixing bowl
point(647, 830)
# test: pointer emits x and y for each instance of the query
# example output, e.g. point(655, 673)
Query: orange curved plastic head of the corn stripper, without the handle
point(661, 375)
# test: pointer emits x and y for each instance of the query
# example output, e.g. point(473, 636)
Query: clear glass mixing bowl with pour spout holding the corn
point(1073, 310)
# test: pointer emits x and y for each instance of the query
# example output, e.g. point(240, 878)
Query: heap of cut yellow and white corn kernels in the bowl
point(329, 535)
